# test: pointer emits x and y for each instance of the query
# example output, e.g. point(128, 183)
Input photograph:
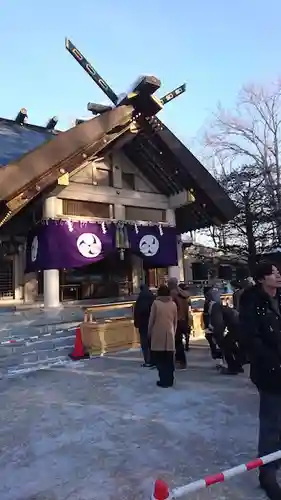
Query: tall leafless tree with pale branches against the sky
point(251, 136)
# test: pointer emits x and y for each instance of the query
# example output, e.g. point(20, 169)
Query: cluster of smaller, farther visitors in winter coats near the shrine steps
point(164, 324)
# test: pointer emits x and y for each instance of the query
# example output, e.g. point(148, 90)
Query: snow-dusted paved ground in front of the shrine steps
point(102, 430)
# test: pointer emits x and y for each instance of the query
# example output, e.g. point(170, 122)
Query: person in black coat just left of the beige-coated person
point(141, 318)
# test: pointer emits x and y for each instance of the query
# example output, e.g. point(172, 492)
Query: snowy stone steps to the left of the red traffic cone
point(34, 339)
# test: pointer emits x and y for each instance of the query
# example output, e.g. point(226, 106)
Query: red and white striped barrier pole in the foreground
point(215, 478)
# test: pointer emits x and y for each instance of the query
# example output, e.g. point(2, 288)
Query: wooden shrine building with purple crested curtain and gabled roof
point(96, 210)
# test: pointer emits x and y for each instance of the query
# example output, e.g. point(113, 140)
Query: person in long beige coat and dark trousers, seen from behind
point(161, 330)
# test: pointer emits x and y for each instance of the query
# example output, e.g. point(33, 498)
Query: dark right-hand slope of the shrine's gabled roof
point(171, 167)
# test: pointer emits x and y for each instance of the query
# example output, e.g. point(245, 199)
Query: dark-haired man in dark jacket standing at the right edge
point(260, 319)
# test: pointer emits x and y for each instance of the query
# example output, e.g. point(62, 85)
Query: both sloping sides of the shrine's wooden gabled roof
point(33, 158)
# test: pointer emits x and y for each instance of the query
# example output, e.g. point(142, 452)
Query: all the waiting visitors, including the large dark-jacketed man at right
point(249, 332)
